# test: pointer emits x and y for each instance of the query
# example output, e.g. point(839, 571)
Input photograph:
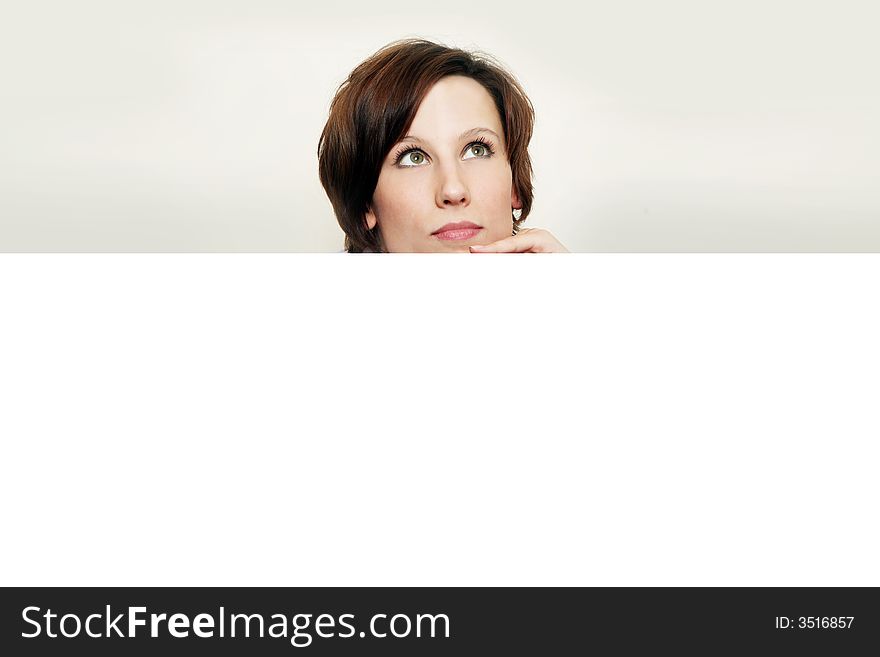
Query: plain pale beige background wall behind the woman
point(678, 126)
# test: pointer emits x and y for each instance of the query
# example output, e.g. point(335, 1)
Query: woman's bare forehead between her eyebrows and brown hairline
point(453, 105)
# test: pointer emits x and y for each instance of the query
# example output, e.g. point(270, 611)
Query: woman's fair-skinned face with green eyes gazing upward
point(447, 184)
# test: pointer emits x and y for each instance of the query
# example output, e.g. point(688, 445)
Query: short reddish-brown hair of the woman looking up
point(374, 108)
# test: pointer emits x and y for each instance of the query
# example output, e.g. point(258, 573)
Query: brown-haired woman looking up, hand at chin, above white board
point(426, 149)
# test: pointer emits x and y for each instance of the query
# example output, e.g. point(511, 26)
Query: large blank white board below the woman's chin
point(395, 420)
